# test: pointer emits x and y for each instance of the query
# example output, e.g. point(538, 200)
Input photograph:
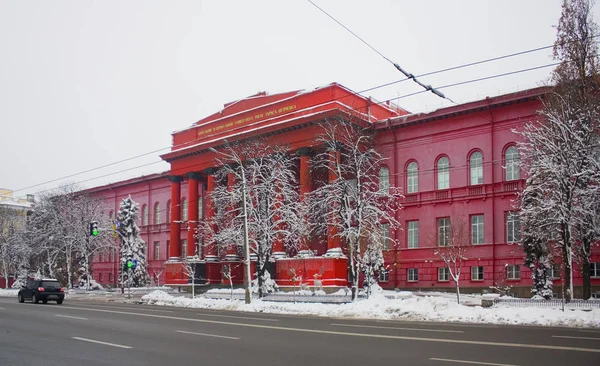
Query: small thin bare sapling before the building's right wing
point(453, 243)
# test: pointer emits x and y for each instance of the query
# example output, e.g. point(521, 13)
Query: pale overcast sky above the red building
point(88, 83)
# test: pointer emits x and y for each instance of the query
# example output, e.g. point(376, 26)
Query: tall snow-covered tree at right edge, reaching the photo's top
point(562, 147)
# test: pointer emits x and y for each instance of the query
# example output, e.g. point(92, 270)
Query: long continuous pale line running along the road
point(436, 340)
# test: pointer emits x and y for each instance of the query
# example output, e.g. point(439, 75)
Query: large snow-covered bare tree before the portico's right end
point(356, 205)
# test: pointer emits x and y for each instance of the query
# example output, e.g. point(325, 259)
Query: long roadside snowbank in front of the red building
point(413, 308)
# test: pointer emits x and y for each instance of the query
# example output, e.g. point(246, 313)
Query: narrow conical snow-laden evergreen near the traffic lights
point(133, 246)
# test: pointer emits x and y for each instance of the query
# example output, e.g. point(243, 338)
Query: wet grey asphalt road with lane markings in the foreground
point(82, 332)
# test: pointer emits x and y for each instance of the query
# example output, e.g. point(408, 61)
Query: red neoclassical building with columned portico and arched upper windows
point(456, 165)
